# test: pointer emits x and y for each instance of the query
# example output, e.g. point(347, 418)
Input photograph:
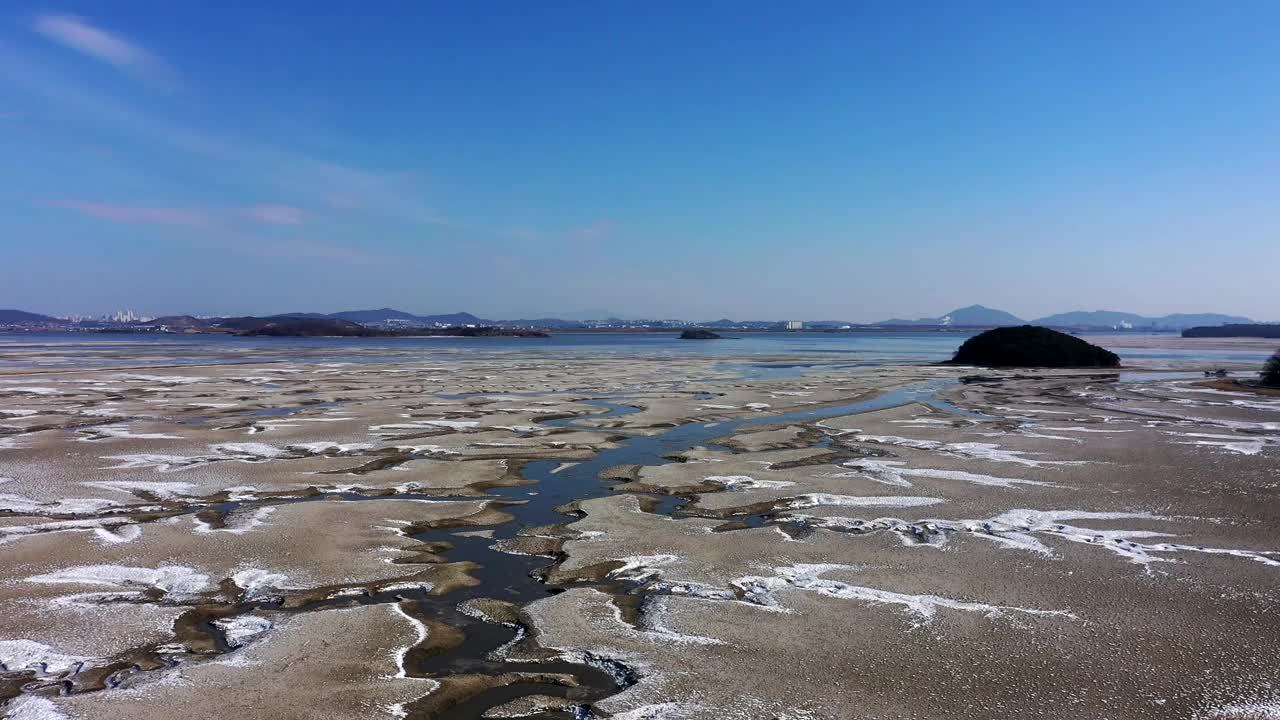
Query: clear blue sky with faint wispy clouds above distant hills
point(715, 160)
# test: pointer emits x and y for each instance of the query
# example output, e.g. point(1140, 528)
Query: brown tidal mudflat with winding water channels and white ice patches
point(565, 535)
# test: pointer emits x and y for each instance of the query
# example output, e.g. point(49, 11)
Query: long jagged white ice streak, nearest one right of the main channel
point(808, 577)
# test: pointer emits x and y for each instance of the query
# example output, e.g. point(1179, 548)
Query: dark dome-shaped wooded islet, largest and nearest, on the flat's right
point(1032, 347)
